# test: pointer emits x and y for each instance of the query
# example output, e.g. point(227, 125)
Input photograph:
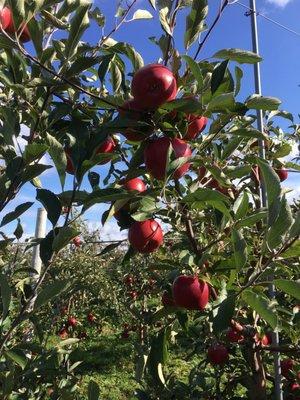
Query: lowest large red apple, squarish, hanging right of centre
point(189, 292)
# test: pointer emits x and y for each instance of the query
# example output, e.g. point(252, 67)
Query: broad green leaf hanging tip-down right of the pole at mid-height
point(280, 227)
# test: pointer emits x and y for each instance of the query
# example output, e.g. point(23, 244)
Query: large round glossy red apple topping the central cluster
point(153, 85)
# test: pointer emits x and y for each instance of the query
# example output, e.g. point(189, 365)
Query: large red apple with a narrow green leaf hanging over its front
point(155, 155)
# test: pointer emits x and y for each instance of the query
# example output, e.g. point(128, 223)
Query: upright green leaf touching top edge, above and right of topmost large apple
point(195, 22)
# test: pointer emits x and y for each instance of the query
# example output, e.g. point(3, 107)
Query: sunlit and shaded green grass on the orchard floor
point(109, 361)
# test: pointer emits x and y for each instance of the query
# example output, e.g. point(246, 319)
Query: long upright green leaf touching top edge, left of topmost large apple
point(79, 24)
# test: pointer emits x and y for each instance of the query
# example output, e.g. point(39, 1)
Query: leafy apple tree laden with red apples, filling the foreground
point(185, 178)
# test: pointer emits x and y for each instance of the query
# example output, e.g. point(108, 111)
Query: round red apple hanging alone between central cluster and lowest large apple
point(146, 236)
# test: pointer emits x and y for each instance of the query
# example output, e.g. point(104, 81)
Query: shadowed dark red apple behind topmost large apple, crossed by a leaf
point(131, 133)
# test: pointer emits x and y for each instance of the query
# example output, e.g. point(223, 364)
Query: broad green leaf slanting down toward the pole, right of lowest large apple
point(263, 306)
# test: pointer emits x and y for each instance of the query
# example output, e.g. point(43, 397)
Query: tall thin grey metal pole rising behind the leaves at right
point(260, 125)
